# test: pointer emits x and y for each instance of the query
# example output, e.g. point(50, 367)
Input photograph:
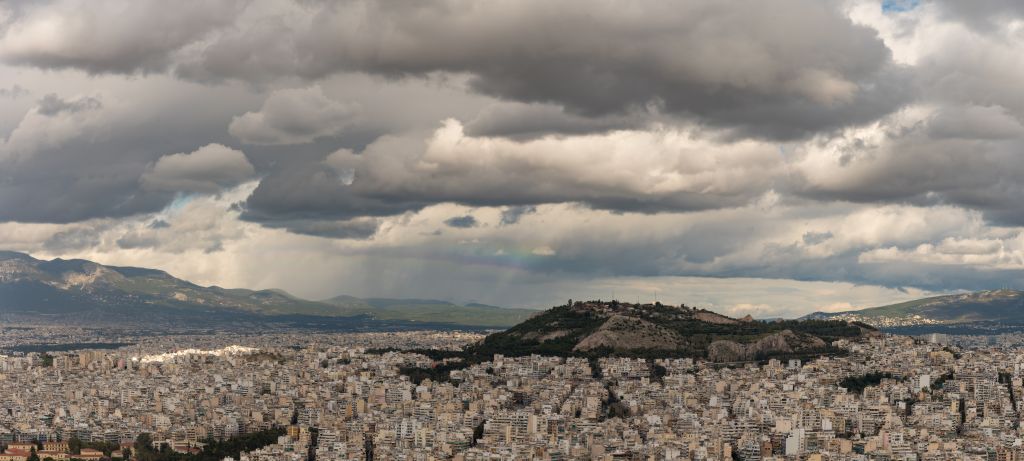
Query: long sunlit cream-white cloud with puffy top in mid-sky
point(663, 169)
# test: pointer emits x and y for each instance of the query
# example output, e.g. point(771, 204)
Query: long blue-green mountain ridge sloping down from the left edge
point(35, 287)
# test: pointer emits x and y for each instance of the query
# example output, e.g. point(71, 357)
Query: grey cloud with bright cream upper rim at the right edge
point(963, 156)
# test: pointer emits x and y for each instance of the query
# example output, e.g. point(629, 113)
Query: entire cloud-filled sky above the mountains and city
point(765, 158)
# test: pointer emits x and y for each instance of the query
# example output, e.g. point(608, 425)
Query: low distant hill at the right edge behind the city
point(995, 306)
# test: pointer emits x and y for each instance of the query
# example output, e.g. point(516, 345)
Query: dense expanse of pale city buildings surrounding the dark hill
point(339, 397)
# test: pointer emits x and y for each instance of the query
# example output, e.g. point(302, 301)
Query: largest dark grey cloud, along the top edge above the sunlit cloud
point(807, 69)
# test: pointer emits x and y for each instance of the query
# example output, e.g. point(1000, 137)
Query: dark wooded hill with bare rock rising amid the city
point(596, 329)
